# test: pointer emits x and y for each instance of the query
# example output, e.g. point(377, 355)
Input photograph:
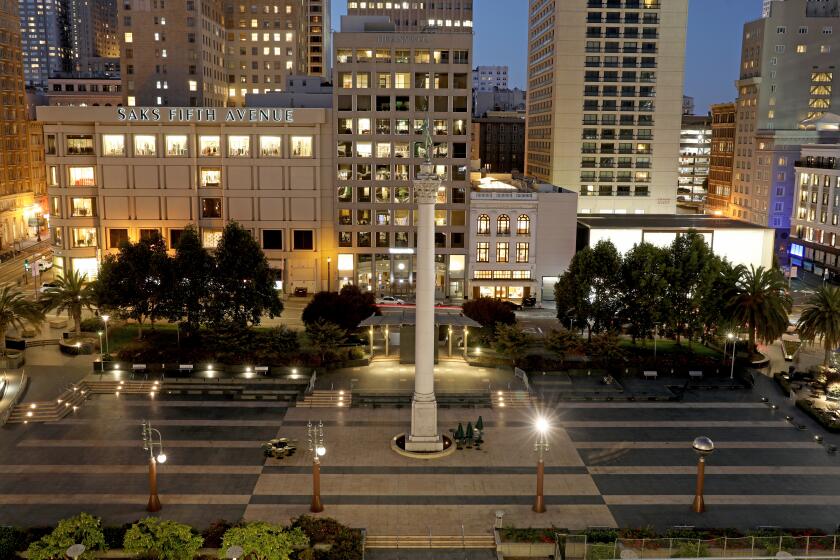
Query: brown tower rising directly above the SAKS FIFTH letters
point(172, 53)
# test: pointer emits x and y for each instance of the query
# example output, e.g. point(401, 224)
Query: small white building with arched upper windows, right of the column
point(522, 235)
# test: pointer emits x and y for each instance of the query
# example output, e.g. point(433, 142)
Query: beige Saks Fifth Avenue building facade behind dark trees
point(117, 174)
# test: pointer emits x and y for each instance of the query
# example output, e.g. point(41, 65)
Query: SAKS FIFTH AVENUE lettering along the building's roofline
point(204, 114)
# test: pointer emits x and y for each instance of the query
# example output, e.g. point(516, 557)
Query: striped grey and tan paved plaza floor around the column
point(610, 464)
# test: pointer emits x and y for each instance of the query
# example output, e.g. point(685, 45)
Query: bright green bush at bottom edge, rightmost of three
point(264, 541)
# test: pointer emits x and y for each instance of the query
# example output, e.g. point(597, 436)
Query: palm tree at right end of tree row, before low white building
point(759, 299)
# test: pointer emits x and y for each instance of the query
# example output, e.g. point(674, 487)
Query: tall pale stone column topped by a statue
point(424, 436)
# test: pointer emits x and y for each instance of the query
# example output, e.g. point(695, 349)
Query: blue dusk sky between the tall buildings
point(713, 49)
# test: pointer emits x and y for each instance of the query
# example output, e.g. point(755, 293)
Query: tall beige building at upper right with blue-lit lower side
point(787, 74)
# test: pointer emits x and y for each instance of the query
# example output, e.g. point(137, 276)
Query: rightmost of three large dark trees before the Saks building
point(243, 285)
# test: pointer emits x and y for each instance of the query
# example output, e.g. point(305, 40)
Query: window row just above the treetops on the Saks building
point(272, 239)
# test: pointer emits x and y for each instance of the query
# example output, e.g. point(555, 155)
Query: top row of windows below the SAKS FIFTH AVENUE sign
point(178, 145)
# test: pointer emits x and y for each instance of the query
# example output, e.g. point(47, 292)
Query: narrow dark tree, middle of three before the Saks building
point(191, 290)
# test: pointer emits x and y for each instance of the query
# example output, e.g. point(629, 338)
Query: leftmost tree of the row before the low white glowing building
point(588, 294)
